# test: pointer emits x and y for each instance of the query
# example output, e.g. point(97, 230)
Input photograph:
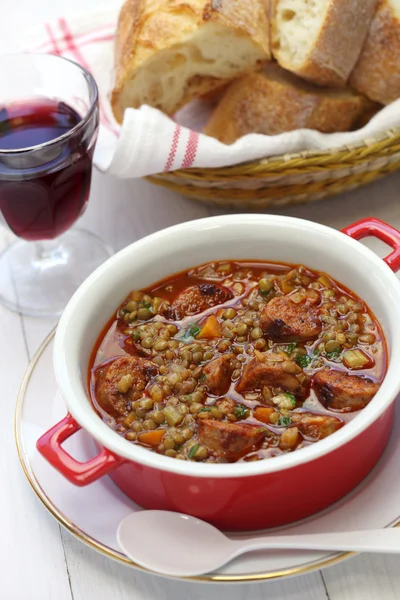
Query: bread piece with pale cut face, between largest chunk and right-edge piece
point(320, 40)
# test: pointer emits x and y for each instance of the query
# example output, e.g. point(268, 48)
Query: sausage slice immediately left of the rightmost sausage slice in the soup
point(258, 374)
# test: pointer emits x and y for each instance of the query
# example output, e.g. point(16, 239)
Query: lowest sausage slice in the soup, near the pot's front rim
point(230, 441)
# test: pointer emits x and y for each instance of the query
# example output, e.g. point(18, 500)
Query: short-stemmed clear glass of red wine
point(49, 120)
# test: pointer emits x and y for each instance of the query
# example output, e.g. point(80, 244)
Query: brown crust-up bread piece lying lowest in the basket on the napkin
point(274, 101)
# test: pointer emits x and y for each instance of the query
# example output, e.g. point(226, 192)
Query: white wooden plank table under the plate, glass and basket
point(40, 561)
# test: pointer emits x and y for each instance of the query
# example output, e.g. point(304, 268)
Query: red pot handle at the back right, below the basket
point(381, 230)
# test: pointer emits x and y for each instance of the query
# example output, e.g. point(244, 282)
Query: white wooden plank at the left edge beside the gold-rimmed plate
point(31, 552)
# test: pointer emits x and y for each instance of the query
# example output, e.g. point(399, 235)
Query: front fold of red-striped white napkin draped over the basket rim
point(150, 142)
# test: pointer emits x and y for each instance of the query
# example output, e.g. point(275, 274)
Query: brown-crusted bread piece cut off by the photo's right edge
point(377, 73)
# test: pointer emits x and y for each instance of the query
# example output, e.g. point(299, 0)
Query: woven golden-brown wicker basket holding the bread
point(289, 179)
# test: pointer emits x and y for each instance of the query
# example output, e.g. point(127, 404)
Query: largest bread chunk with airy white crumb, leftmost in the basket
point(169, 52)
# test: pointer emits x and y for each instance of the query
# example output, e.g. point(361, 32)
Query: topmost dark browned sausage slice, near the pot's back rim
point(197, 298)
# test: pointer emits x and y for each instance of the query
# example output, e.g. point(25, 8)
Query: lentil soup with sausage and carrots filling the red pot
point(236, 361)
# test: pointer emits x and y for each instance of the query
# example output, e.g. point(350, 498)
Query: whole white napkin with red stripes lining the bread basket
point(149, 142)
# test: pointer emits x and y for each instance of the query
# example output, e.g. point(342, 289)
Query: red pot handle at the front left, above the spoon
point(50, 446)
